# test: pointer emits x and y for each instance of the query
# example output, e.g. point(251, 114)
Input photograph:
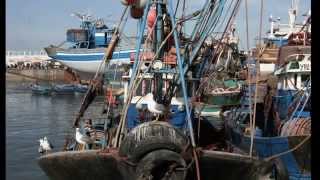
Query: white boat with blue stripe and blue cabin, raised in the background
point(84, 47)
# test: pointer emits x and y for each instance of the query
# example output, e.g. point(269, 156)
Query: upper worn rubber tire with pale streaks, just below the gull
point(152, 136)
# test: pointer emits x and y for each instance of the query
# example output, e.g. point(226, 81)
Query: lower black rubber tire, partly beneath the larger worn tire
point(157, 163)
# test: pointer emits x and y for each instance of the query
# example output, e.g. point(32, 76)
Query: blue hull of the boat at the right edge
point(295, 162)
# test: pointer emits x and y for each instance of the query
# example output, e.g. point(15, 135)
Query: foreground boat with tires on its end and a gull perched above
point(154, 136)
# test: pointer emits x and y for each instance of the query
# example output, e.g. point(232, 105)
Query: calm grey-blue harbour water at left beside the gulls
point(30, 117)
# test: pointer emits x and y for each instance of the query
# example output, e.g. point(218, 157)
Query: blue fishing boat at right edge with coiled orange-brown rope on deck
point(280, 128)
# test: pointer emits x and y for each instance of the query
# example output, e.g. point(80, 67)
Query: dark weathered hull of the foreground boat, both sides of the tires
point(93, 164)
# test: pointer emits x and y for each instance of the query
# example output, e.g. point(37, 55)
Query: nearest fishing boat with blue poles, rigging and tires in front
point(163, 128)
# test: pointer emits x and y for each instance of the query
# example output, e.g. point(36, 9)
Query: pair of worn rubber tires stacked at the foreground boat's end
point(156, 148)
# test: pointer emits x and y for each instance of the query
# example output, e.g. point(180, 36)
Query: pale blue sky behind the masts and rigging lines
point(34, 24)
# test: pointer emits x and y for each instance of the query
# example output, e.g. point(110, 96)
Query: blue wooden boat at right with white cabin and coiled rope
point(283, 130)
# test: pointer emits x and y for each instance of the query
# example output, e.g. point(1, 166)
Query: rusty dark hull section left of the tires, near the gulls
point(85, 165)
